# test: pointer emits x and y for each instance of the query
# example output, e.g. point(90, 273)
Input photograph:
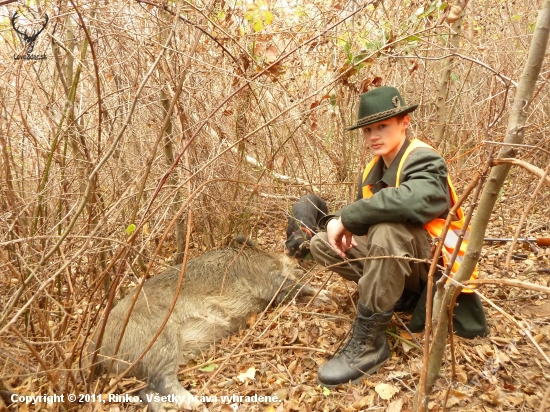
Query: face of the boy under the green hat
point(386, 137)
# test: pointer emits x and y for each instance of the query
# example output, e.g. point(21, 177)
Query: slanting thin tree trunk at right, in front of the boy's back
point(514, 135)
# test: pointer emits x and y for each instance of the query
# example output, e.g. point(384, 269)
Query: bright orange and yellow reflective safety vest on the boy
point(435, 227)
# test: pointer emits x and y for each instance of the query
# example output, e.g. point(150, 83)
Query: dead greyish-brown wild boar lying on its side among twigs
point(220, 290)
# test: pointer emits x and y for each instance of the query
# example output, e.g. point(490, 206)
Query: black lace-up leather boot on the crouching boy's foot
point(365, 352)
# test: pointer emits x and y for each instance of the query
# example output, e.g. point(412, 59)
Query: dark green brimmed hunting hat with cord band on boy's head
point(380, 104)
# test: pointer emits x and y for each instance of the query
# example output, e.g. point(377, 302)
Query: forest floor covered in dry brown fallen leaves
point(280, 355)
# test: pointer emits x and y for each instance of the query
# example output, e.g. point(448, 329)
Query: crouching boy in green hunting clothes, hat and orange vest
point(403, 199)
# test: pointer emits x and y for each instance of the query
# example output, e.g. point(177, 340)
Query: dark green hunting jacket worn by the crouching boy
point(422, 195)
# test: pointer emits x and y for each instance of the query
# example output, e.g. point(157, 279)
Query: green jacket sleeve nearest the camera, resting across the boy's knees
point(422, 196)
